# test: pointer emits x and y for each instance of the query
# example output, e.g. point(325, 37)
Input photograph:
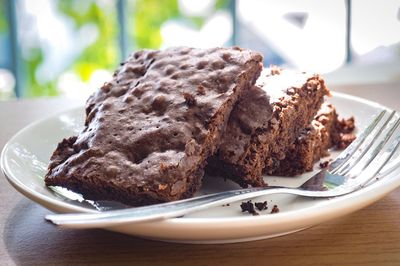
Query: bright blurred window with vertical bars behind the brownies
point(71, 47)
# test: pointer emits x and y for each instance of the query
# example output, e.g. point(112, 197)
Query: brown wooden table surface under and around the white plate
point(369, 236)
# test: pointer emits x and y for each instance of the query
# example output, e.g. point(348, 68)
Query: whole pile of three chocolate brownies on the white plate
point(151, 130)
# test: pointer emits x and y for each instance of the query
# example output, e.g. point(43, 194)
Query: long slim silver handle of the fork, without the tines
point(161, 211)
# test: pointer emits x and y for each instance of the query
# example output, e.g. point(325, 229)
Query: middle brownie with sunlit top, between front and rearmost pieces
point(265, 123)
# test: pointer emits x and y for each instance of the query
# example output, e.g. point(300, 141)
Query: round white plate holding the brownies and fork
point(25, 157)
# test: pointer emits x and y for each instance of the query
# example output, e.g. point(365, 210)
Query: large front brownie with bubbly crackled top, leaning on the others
point(150, 129)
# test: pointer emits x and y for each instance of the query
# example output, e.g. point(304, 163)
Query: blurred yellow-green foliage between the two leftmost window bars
point(101, 54)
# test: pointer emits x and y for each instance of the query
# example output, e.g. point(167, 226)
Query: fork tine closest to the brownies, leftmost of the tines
point(353, 147)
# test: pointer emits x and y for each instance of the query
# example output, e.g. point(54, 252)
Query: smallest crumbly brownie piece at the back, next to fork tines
point(326, 131)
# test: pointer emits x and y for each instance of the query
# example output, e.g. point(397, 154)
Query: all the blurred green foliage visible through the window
point(144, 21)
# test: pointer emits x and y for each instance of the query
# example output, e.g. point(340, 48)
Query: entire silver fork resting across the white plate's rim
point(361, 163)
